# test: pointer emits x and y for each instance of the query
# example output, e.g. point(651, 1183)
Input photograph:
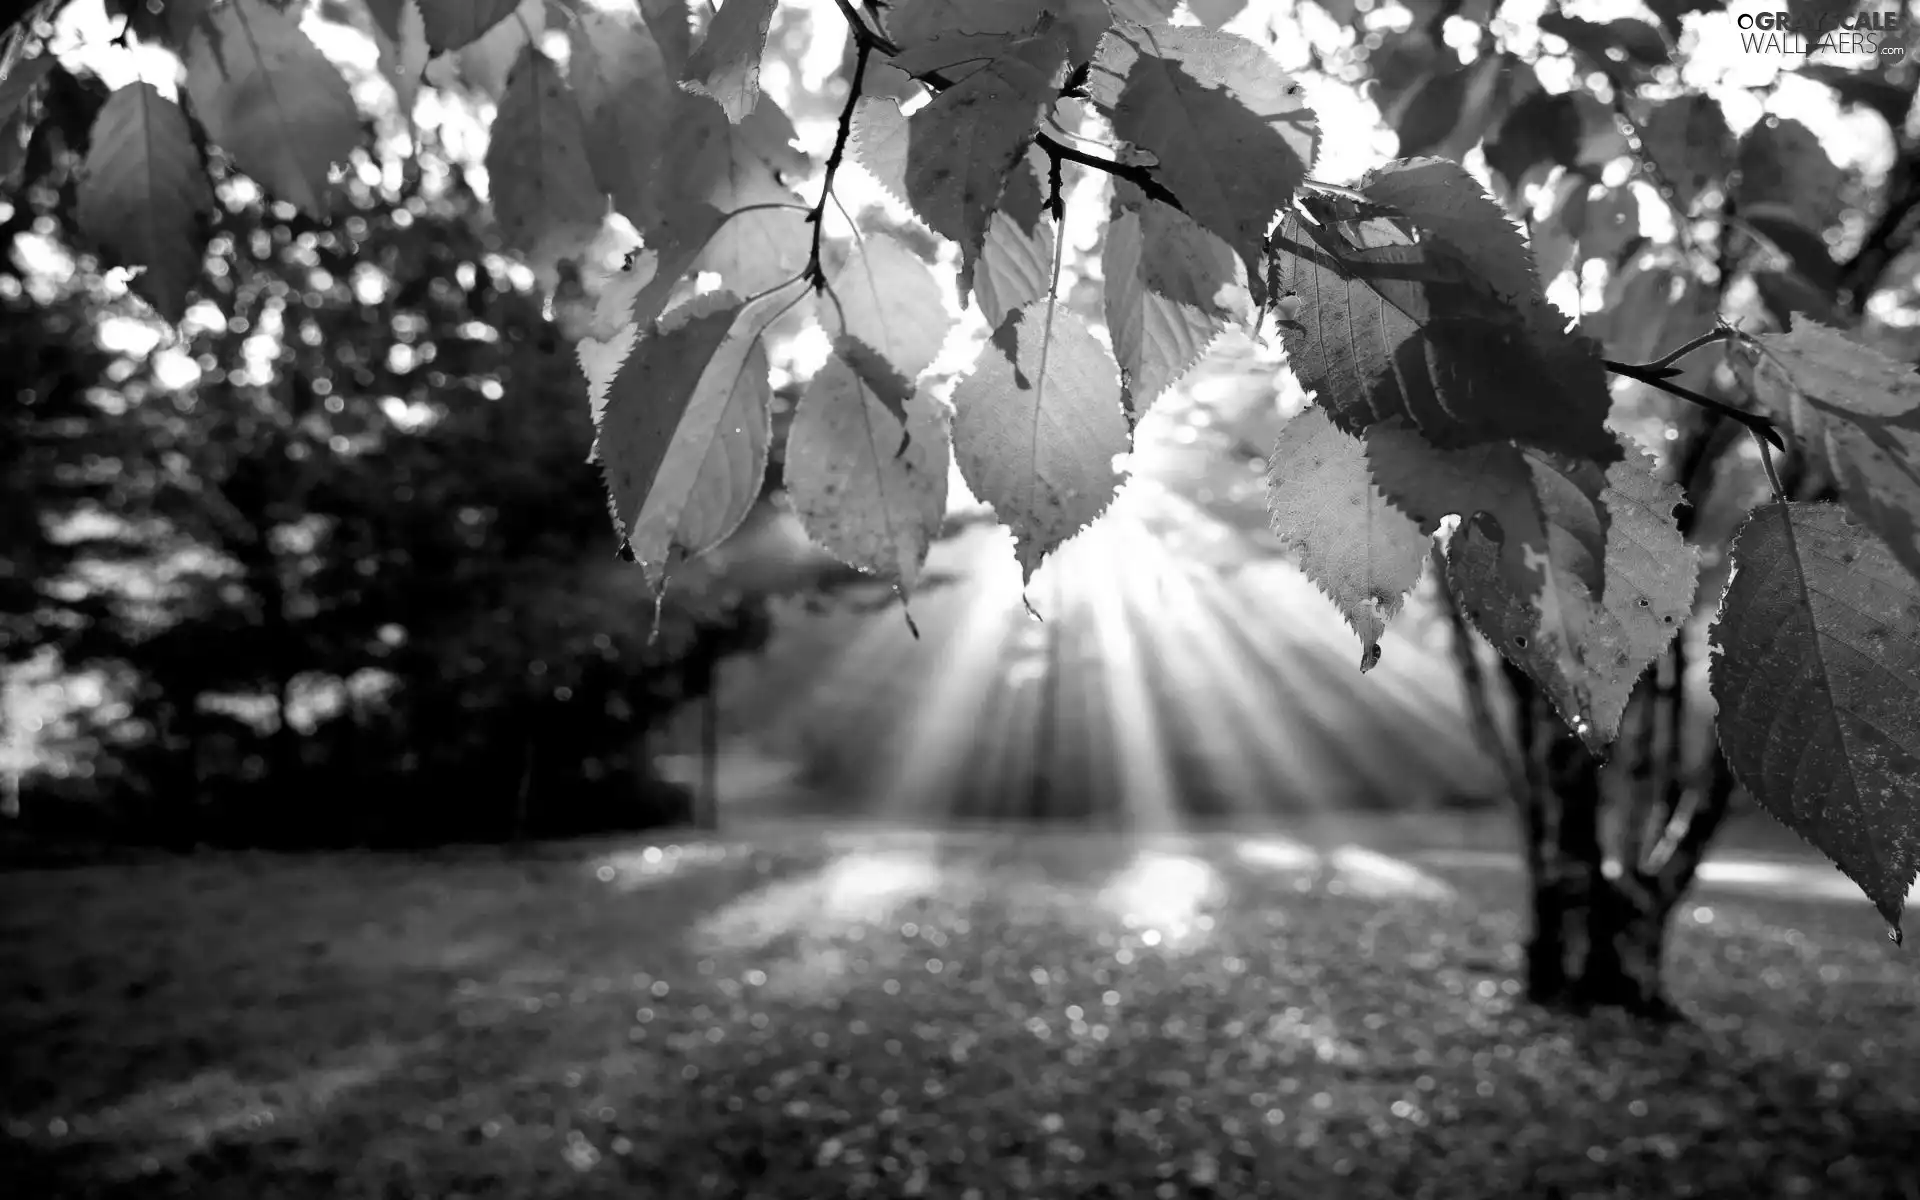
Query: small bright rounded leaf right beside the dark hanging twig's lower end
point(890, 300)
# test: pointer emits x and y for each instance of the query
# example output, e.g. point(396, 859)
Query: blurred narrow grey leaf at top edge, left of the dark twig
point(619, 78)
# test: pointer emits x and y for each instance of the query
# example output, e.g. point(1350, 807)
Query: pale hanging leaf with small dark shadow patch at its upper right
point(867, 487)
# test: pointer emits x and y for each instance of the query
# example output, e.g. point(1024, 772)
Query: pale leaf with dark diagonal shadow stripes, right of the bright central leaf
point(1170, 291)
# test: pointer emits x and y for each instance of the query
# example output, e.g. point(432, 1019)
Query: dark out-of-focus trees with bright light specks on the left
point(331, 567)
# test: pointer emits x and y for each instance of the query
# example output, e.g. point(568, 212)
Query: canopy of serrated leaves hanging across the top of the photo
point(1449, 396)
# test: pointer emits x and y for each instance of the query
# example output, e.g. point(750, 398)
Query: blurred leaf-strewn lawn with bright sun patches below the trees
point(823, 1015)
